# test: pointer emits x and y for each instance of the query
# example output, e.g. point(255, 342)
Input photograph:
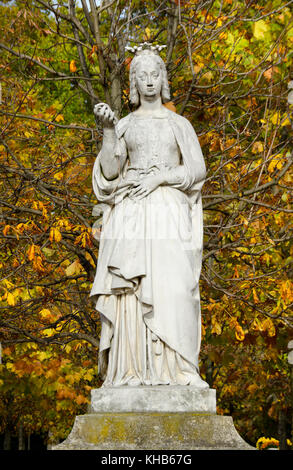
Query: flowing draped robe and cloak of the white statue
point(148, 269)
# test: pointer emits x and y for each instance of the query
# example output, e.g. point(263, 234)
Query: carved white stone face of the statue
point(148, 78)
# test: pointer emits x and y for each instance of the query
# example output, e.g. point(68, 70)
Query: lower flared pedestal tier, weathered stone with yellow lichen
point(153, 431)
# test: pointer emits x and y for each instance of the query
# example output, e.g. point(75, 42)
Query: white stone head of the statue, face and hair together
point(148, 76)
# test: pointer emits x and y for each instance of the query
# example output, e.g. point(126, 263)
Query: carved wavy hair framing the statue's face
point(165, 91)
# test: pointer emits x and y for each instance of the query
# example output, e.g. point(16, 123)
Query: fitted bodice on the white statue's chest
point(151, 143)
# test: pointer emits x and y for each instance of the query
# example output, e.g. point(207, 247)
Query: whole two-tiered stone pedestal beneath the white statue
point(153, 418)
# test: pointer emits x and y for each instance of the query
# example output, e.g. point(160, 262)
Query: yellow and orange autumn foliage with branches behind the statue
point(229, 69)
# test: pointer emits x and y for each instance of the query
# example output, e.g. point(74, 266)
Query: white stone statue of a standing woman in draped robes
point(148, 177)
